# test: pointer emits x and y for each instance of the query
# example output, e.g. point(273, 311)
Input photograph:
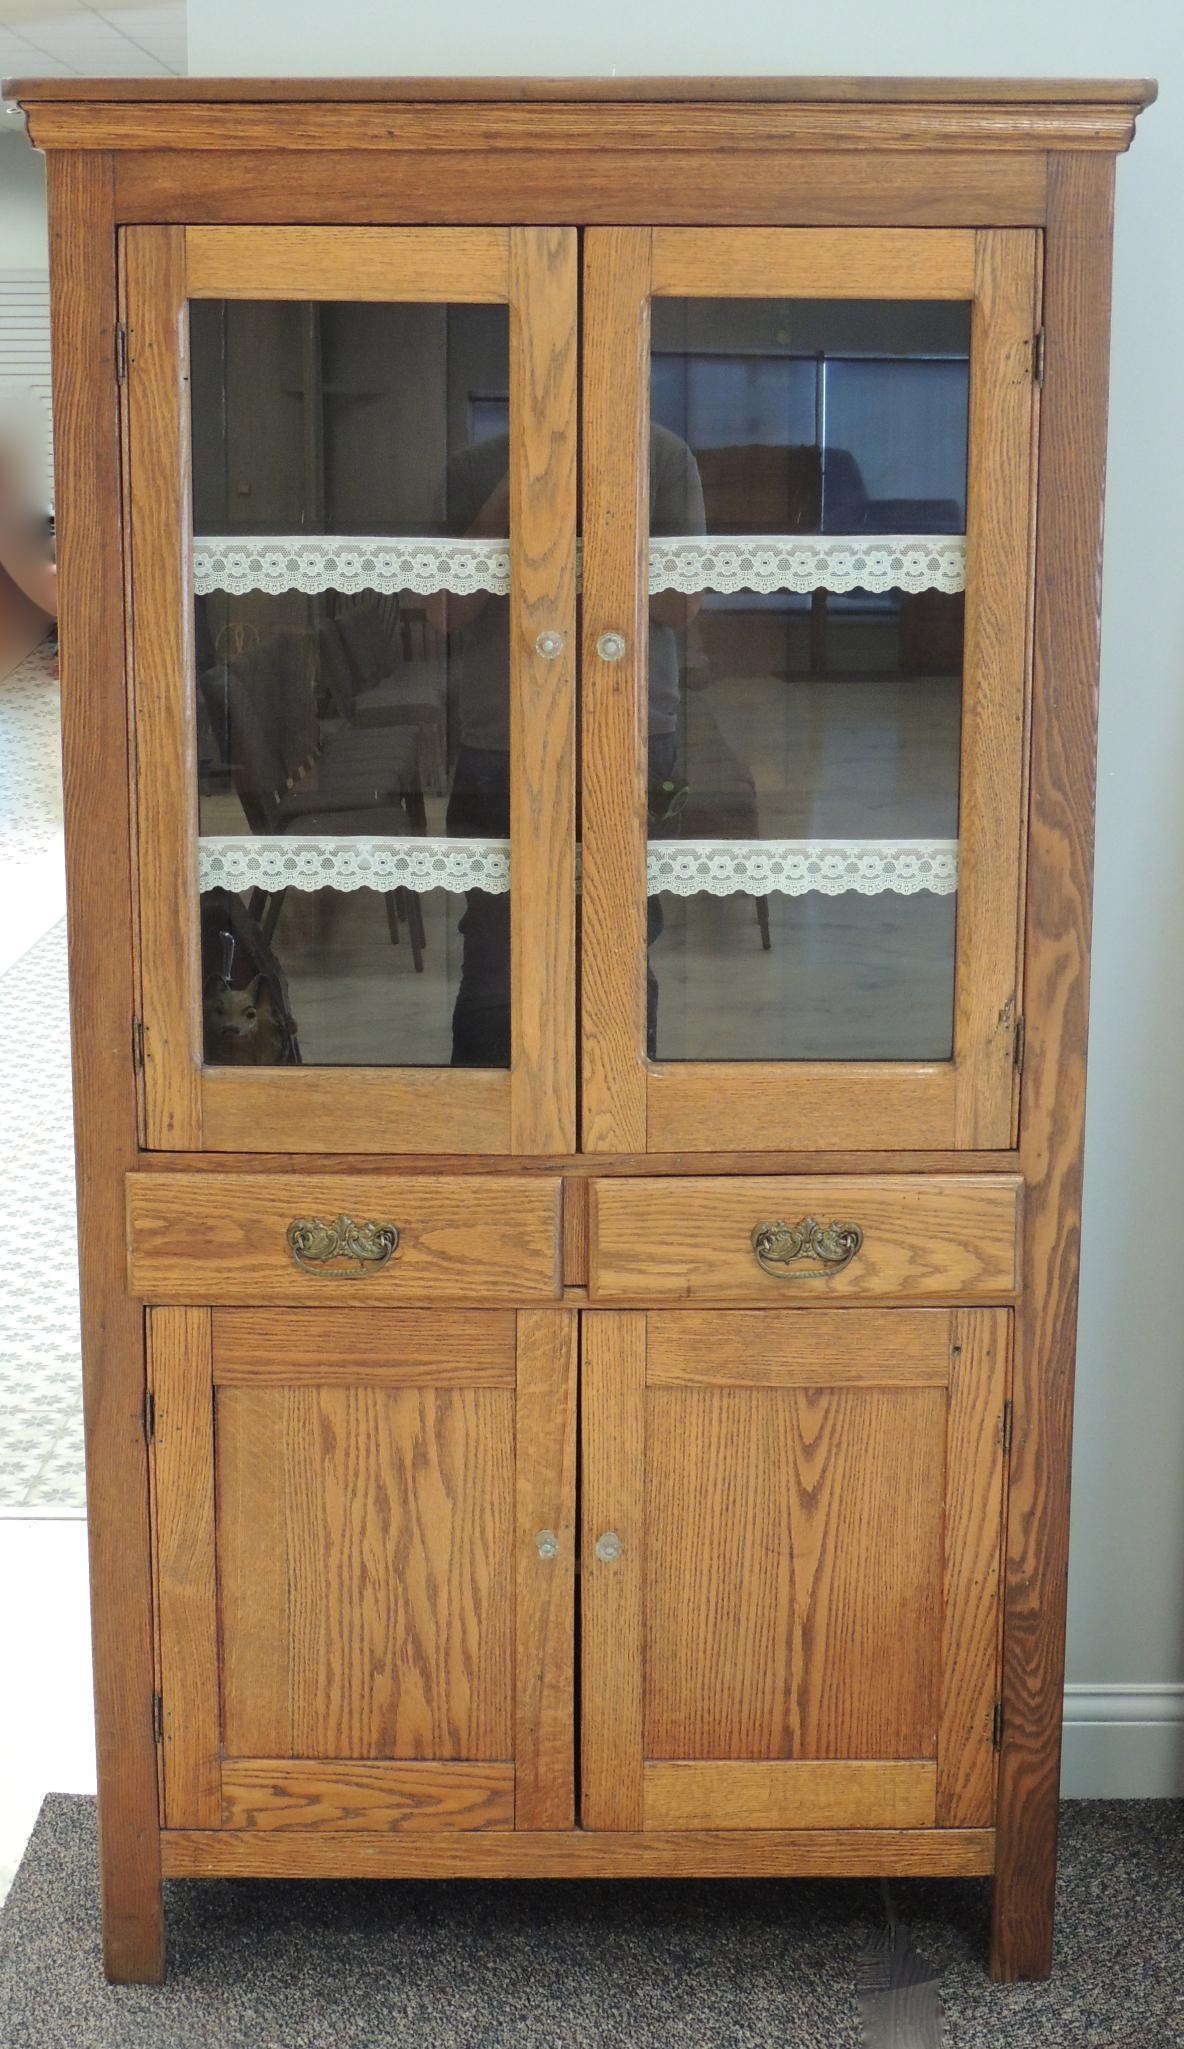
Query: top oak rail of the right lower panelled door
point(812, 1349)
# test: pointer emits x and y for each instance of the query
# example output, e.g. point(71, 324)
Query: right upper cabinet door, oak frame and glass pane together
point(804, 685)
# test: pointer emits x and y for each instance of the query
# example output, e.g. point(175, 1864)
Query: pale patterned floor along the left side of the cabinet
point(46, 1737)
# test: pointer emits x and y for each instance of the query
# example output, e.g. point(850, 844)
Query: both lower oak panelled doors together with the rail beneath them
point(366, 1558)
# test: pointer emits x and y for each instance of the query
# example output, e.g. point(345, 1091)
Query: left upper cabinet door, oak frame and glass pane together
point(353, 583)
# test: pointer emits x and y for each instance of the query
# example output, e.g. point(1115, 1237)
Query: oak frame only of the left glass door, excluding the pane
point(532, 1105)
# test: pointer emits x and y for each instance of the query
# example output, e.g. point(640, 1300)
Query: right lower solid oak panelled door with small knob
point(792, 1560)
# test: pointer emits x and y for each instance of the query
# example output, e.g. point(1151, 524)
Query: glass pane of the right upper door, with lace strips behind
point(806, 659)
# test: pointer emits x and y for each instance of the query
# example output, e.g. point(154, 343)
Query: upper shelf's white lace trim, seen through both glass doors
point(689, 564)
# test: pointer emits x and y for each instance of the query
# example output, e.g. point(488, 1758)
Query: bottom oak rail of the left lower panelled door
point(300, 1794)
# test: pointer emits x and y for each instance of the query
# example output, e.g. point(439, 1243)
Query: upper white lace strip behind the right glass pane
point(810, 562)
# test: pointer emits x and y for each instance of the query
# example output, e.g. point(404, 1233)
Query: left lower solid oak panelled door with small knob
point(366, 1569)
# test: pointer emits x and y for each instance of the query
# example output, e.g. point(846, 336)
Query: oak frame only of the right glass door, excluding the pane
point(640, 1105)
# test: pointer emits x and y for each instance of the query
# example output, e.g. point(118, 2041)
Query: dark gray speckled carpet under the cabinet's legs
point(628, 1966)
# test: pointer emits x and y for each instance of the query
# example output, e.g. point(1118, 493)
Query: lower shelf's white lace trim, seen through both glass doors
point(675, 868)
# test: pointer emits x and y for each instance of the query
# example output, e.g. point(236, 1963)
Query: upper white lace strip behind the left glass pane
point(349, 562)
